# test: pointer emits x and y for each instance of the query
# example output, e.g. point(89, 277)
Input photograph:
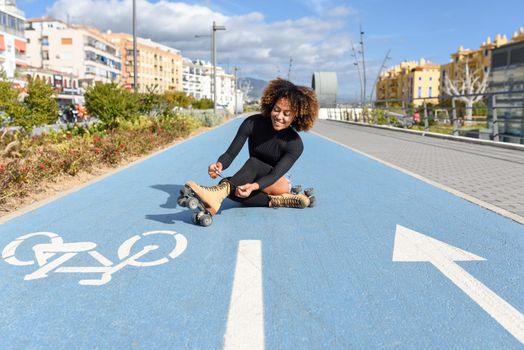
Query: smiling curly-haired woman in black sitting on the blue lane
point(274, 146)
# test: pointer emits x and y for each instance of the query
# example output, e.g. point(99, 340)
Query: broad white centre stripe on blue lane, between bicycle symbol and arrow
point(245, 323)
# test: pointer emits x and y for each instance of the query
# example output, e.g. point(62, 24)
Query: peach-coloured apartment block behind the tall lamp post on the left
point(159, 67)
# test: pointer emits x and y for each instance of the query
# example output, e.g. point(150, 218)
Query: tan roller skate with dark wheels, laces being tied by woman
point(206, 199)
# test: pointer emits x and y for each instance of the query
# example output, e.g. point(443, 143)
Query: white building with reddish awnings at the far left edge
point(12, 42)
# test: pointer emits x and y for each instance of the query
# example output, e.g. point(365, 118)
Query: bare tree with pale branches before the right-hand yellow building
point(468, 83)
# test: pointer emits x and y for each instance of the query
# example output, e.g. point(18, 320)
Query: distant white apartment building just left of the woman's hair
point(197, 82)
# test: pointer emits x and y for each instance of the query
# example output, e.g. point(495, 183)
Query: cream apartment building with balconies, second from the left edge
point(75, 50)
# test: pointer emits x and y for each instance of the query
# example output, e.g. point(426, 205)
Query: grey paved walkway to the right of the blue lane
point(493, 175)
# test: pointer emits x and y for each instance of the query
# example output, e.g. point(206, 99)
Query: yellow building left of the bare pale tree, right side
point(411, 82)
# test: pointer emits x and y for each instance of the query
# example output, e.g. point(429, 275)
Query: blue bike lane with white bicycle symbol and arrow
point(340, 275)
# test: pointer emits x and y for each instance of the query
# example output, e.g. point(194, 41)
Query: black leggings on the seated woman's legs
point(251, 171)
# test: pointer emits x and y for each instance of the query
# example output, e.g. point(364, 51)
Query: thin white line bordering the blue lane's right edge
point(462, 195)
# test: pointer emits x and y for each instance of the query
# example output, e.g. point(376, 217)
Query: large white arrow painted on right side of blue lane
point(411, 246)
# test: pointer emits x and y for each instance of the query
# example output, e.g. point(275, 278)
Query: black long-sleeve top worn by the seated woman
point(280, 149)
